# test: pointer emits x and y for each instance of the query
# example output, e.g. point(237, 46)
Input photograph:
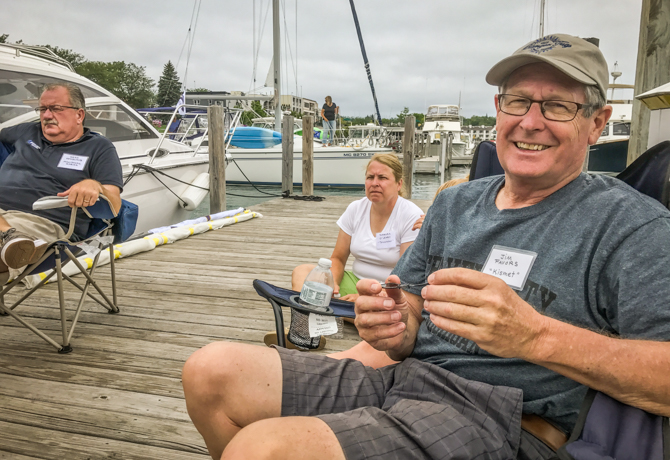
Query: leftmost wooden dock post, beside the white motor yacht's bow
point(217, 160)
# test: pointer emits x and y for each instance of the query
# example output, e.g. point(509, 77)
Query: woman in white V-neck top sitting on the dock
point(377, 230)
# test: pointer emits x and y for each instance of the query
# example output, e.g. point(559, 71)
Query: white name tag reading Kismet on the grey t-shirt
point(510, 265)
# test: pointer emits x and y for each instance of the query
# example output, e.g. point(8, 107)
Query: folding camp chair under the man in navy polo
point(101, 235)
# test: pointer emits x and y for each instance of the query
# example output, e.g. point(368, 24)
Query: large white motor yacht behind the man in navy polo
point(155, 170)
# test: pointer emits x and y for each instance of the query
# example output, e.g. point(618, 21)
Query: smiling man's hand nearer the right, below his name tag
point(484, 309)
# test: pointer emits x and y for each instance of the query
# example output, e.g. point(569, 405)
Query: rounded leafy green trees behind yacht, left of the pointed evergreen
point(127, 81)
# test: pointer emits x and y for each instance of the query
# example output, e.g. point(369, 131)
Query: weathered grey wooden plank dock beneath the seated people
point(119, 394)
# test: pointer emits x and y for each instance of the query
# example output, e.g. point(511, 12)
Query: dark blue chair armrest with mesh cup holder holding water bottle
point(298, 333)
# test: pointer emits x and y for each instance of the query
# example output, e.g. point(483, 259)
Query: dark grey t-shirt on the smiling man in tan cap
point(603, 263)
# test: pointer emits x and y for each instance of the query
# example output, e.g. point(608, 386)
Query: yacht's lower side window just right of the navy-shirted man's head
point(115, 123)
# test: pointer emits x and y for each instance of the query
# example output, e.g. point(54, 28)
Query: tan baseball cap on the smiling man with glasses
point(574, 56)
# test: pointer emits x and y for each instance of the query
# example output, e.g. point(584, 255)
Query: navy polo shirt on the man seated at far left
point(39, 168)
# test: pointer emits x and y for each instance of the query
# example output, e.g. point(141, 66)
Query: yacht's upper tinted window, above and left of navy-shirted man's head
point(20, 92)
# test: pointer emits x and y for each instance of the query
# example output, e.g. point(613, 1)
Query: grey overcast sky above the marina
point(421, 52)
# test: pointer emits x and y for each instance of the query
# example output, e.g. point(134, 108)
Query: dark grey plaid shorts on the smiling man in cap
point(411, 410)
